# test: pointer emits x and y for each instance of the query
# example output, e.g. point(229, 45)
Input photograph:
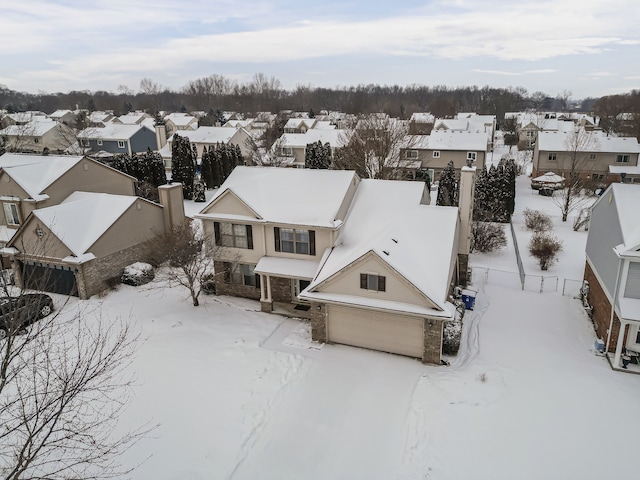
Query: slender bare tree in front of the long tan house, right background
point(579, 144)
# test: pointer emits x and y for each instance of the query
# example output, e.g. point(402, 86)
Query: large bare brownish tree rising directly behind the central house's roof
point(372, 148)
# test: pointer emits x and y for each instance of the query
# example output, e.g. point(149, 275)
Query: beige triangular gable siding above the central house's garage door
point(397, 288)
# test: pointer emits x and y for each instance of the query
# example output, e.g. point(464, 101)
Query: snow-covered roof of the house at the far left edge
point(34, 173)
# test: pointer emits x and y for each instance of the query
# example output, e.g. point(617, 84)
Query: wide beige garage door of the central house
point(376, 330)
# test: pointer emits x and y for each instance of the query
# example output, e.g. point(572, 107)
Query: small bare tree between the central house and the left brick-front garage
point(186, 264)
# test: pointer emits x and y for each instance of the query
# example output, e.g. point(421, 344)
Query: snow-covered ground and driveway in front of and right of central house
point(240, 394)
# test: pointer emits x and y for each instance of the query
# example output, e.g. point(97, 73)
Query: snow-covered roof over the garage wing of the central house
point(386, 218)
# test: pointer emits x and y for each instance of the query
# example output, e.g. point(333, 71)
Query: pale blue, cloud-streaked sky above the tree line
point(590, 47)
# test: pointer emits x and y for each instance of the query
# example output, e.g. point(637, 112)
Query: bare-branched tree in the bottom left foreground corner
point(64, 381)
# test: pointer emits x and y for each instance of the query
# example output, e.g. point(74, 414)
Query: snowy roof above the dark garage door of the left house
point(83, 217)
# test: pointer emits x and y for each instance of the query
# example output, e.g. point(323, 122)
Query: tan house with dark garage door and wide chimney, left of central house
point(82, 245)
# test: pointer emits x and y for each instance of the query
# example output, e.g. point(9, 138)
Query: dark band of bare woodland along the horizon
point(218, 93)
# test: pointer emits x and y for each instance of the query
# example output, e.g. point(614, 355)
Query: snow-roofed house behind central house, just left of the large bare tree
point(291, 148)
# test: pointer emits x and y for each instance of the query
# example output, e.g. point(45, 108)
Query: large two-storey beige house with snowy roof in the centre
point(368, 261)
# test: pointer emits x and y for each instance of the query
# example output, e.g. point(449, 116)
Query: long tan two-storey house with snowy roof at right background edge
point(594, 153)
